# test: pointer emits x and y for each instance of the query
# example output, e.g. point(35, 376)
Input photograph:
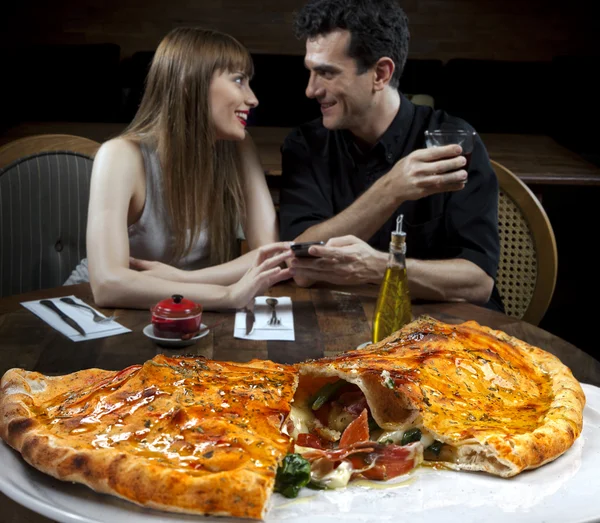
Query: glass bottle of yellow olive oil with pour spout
point(393, 309)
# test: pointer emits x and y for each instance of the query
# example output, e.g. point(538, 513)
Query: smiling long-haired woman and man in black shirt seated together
point(170, 194)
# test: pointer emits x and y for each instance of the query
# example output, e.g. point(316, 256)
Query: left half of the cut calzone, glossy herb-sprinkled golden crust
point(177, 434)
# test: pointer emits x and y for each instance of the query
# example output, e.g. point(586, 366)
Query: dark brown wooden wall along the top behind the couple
point(443, 29)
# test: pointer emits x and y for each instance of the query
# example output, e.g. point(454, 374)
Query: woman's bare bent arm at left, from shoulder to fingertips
point(118, 181)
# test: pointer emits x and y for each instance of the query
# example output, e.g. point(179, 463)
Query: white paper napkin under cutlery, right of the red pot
point(262, 314)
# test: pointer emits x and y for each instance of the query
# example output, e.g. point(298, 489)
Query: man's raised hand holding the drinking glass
point(428, 171)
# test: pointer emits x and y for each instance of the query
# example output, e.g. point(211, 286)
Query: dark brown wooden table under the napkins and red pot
point(327, 321)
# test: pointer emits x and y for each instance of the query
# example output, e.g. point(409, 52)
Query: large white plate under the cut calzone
point(565, 490)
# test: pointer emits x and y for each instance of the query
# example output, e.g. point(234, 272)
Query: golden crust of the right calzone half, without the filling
point(503, 405)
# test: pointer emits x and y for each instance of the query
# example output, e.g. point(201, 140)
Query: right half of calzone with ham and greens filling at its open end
point(465, 397)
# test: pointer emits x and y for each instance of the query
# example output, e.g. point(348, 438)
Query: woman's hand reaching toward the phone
point(264, 272)
